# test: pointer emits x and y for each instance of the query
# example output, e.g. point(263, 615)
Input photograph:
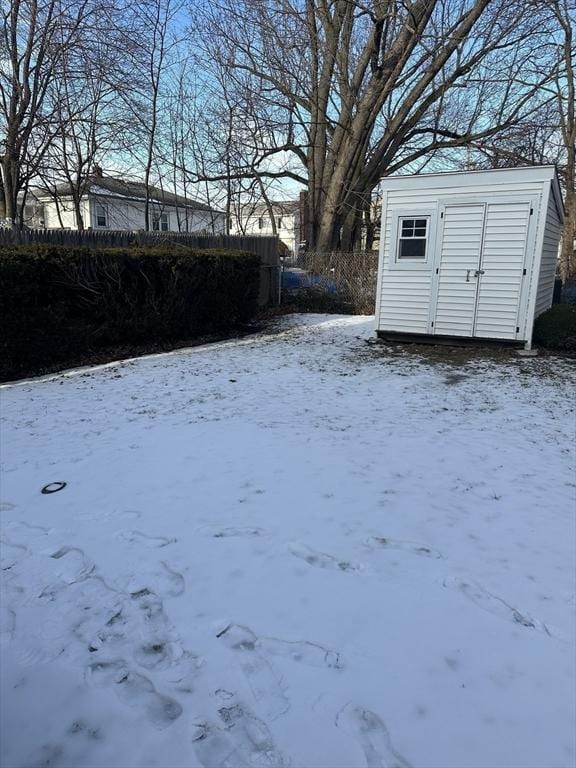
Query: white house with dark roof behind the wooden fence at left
point(110, 203)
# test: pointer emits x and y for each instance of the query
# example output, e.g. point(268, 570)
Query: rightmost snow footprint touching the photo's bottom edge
point(372, 734)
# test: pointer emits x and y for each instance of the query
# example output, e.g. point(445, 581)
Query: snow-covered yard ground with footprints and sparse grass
point(294, 549)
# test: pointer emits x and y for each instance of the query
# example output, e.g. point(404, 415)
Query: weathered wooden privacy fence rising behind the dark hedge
point(264, 246)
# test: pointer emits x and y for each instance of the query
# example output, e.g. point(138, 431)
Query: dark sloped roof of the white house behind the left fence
point(109, 186)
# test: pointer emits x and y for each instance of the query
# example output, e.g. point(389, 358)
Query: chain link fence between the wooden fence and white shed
point(331, 282)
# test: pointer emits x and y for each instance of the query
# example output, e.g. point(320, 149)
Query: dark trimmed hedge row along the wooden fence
point(60, 303)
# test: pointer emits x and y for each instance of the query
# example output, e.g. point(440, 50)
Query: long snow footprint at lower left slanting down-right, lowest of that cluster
point(136, 691)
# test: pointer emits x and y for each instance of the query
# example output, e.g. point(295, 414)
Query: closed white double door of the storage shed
point(481, 268)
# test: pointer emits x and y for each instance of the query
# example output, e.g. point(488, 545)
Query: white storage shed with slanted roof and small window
point(469, 254)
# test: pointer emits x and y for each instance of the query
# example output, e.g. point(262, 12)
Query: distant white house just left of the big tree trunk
point(255, 219)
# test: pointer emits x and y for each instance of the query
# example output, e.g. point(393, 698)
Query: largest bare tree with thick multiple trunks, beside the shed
point(356, 89)
